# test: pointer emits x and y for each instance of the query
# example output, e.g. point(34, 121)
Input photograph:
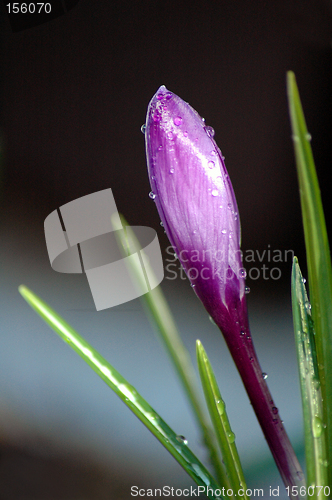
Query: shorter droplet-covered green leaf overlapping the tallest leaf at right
point(314, 432)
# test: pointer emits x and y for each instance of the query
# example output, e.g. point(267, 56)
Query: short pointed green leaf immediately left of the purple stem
point(225, 436)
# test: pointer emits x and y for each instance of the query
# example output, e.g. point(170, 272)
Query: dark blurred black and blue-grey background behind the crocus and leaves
point(74, 94)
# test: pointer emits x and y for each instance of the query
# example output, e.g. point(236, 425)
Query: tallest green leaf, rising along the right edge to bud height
point(318, 253)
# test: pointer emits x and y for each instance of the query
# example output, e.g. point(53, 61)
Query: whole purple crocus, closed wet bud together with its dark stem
point(197, 206)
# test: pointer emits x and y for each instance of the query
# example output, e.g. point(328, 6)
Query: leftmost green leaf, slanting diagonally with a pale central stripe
point(127, 393)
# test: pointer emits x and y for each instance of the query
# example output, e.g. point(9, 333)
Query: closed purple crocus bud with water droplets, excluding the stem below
point(196, 204)
